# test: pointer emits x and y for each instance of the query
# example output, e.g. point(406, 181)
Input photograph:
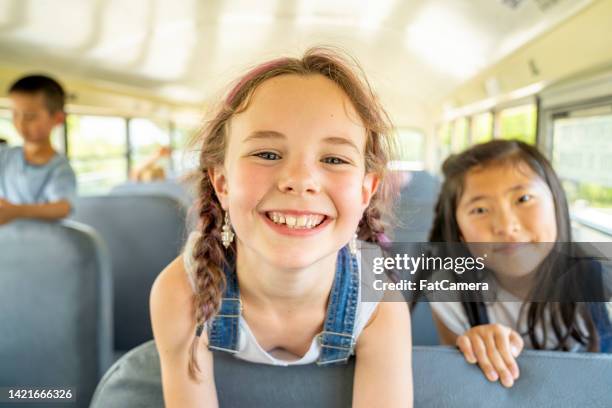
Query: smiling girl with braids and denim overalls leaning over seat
point(292, 170)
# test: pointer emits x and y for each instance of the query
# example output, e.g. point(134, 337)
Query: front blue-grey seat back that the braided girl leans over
point(442, 378)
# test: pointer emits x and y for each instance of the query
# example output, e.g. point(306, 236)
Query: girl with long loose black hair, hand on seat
point(504, 198)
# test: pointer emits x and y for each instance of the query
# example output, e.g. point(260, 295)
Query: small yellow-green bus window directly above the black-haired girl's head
point(518, 123)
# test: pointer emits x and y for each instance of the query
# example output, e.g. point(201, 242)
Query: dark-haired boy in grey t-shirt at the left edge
point(35, 181)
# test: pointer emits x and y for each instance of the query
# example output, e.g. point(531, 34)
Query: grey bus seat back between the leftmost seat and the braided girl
point(144, 233)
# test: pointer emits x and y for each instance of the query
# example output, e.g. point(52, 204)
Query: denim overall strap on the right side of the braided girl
point(337, 340)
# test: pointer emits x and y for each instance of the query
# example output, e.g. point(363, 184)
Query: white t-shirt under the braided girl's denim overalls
point(248, 347)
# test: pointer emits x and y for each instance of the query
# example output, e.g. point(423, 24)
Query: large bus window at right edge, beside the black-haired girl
point(582, 154)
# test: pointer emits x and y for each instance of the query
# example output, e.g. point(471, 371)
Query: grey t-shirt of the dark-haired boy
point(25, 183)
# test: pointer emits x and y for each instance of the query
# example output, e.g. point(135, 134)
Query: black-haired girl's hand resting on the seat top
point(495, 348)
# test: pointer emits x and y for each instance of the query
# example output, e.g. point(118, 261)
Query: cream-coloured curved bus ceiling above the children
point(418, 54)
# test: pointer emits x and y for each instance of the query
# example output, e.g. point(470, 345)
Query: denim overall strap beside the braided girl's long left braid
point(223, 330)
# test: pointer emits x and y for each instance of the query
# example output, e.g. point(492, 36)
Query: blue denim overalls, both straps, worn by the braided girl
point(336, 339)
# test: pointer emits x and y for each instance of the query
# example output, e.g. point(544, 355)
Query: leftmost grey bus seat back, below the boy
point(55, 307)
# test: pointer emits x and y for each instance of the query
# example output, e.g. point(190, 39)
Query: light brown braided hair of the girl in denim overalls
point(209, 254)
